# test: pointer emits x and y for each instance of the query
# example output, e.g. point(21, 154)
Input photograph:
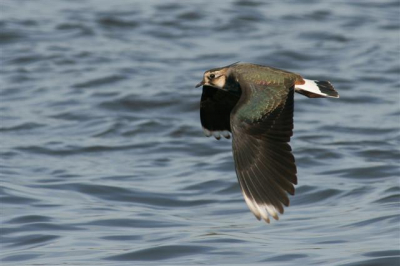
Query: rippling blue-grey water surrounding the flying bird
point(104, 162)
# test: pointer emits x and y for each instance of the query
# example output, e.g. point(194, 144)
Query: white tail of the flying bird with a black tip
point(316, 89)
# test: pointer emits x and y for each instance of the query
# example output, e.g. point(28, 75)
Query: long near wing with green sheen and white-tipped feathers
point(262, 126)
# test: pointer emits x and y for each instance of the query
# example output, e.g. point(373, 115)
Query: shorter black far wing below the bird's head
point(215, 109)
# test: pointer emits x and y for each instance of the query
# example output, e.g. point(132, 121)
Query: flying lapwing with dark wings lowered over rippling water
point(254, 104)
